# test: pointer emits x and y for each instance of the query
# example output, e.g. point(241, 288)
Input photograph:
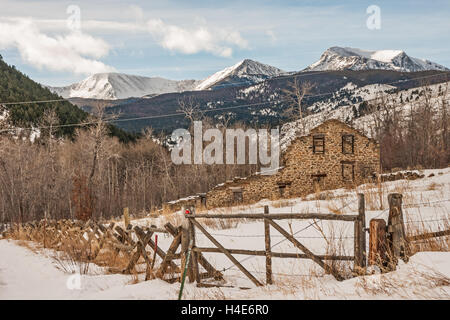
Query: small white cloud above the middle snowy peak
point(201, 38)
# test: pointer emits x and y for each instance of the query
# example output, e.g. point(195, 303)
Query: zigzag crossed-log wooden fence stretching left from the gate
point(134, 243)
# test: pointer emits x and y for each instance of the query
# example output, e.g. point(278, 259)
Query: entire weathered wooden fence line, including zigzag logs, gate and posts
point(387, 242)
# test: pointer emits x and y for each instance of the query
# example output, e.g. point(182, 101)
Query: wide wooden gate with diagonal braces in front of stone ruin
point(192, 223)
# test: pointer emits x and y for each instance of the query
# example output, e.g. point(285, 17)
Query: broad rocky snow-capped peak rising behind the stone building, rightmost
point(341, 58)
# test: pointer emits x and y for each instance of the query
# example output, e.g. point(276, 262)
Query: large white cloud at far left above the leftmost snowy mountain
point(74, 52)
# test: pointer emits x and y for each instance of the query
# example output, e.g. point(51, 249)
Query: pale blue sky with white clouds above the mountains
point(61, 42)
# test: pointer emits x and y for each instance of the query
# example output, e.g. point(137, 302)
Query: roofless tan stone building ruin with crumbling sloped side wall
point(333, 155)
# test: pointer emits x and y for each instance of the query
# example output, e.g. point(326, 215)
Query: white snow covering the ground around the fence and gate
point(426, 206)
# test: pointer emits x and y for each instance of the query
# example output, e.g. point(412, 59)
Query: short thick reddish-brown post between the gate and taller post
point(377, 243)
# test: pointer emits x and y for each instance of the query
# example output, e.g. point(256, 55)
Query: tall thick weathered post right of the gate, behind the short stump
point(396, 231)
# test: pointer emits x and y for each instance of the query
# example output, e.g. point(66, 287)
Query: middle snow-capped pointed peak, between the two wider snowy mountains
point(245, 71)
